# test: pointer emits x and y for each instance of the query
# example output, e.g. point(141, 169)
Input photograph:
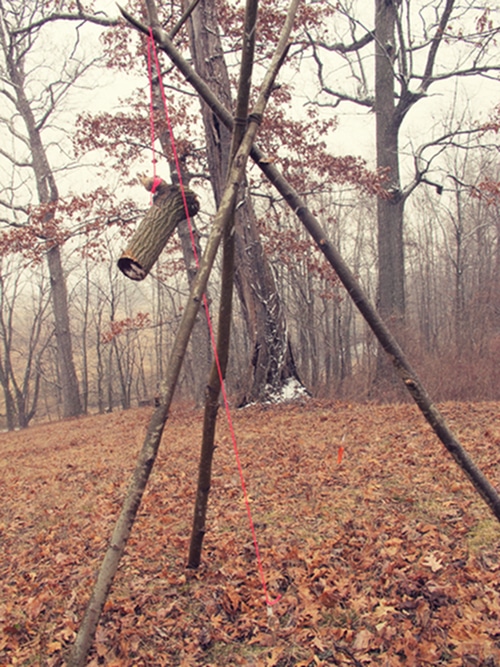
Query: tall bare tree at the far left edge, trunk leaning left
point(28, 111)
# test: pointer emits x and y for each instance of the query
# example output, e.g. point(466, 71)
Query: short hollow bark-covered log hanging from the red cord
point(157, 226)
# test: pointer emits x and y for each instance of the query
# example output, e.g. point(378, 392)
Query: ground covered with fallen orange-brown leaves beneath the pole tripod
point(388, 558)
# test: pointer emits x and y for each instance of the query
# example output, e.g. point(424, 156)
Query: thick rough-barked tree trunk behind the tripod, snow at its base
point(271, 362)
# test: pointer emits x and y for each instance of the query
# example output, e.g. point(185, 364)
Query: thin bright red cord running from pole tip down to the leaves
point(152, 49)
